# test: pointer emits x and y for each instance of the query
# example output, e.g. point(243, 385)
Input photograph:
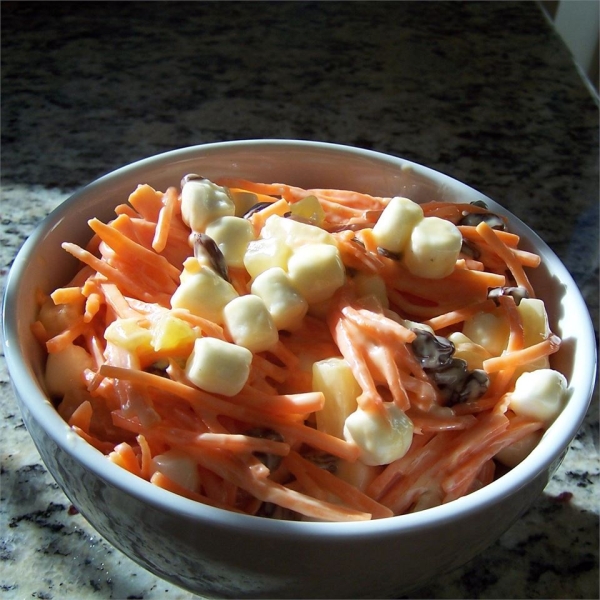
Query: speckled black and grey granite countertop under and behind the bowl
point(485, 92)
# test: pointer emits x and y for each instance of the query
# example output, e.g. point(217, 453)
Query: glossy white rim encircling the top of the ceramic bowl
point(32, 396)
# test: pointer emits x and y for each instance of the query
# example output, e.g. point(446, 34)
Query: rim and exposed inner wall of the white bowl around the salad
point(43, 264)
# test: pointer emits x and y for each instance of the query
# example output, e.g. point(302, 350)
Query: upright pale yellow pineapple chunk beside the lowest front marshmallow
point(333, 377)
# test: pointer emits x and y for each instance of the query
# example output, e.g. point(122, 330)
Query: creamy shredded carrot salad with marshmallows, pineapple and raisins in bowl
point(307, 354)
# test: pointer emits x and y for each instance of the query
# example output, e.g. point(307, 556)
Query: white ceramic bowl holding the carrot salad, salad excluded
point(218, 553)
